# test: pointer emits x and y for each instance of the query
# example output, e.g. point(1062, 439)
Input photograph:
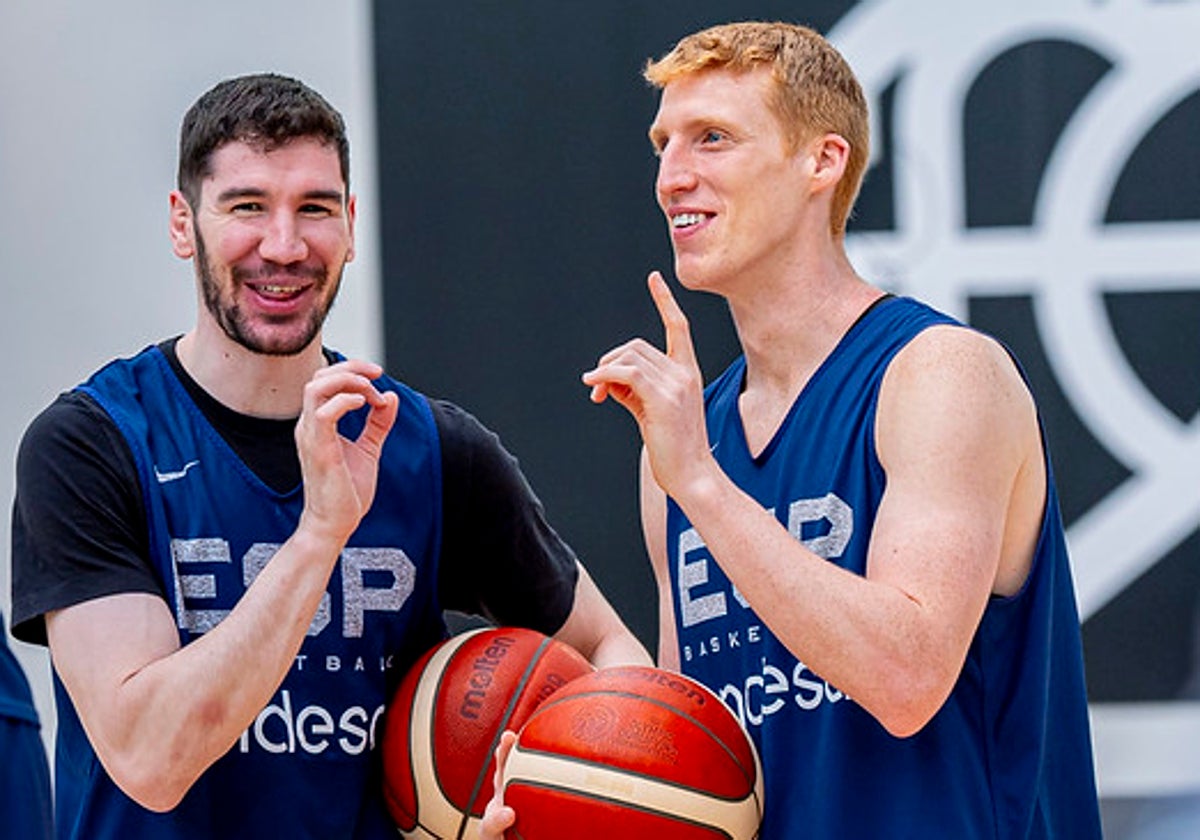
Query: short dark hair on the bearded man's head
point(266, 110)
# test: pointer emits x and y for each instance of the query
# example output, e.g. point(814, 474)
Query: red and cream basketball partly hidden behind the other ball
point(446, 719)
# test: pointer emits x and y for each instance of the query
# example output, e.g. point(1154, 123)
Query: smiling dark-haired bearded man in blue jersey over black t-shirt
point(237, 541)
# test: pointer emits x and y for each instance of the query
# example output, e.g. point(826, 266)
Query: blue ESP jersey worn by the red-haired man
point(1010, 753)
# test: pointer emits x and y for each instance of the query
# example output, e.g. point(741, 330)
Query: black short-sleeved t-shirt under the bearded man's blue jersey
point(80, 530)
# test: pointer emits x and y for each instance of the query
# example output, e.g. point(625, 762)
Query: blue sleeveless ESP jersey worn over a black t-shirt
point(308, 766)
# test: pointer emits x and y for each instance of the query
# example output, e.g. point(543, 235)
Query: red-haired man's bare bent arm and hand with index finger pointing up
point(895, 639)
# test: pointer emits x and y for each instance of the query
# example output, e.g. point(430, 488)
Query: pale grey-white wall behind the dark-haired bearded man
point(91, 101)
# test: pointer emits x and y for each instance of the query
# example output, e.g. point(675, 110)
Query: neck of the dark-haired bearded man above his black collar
point(248, 382)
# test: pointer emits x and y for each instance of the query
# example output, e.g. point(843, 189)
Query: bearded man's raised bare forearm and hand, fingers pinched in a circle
point(159, 715)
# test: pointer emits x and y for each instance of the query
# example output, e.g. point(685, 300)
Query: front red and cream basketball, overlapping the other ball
point(634, 753)
